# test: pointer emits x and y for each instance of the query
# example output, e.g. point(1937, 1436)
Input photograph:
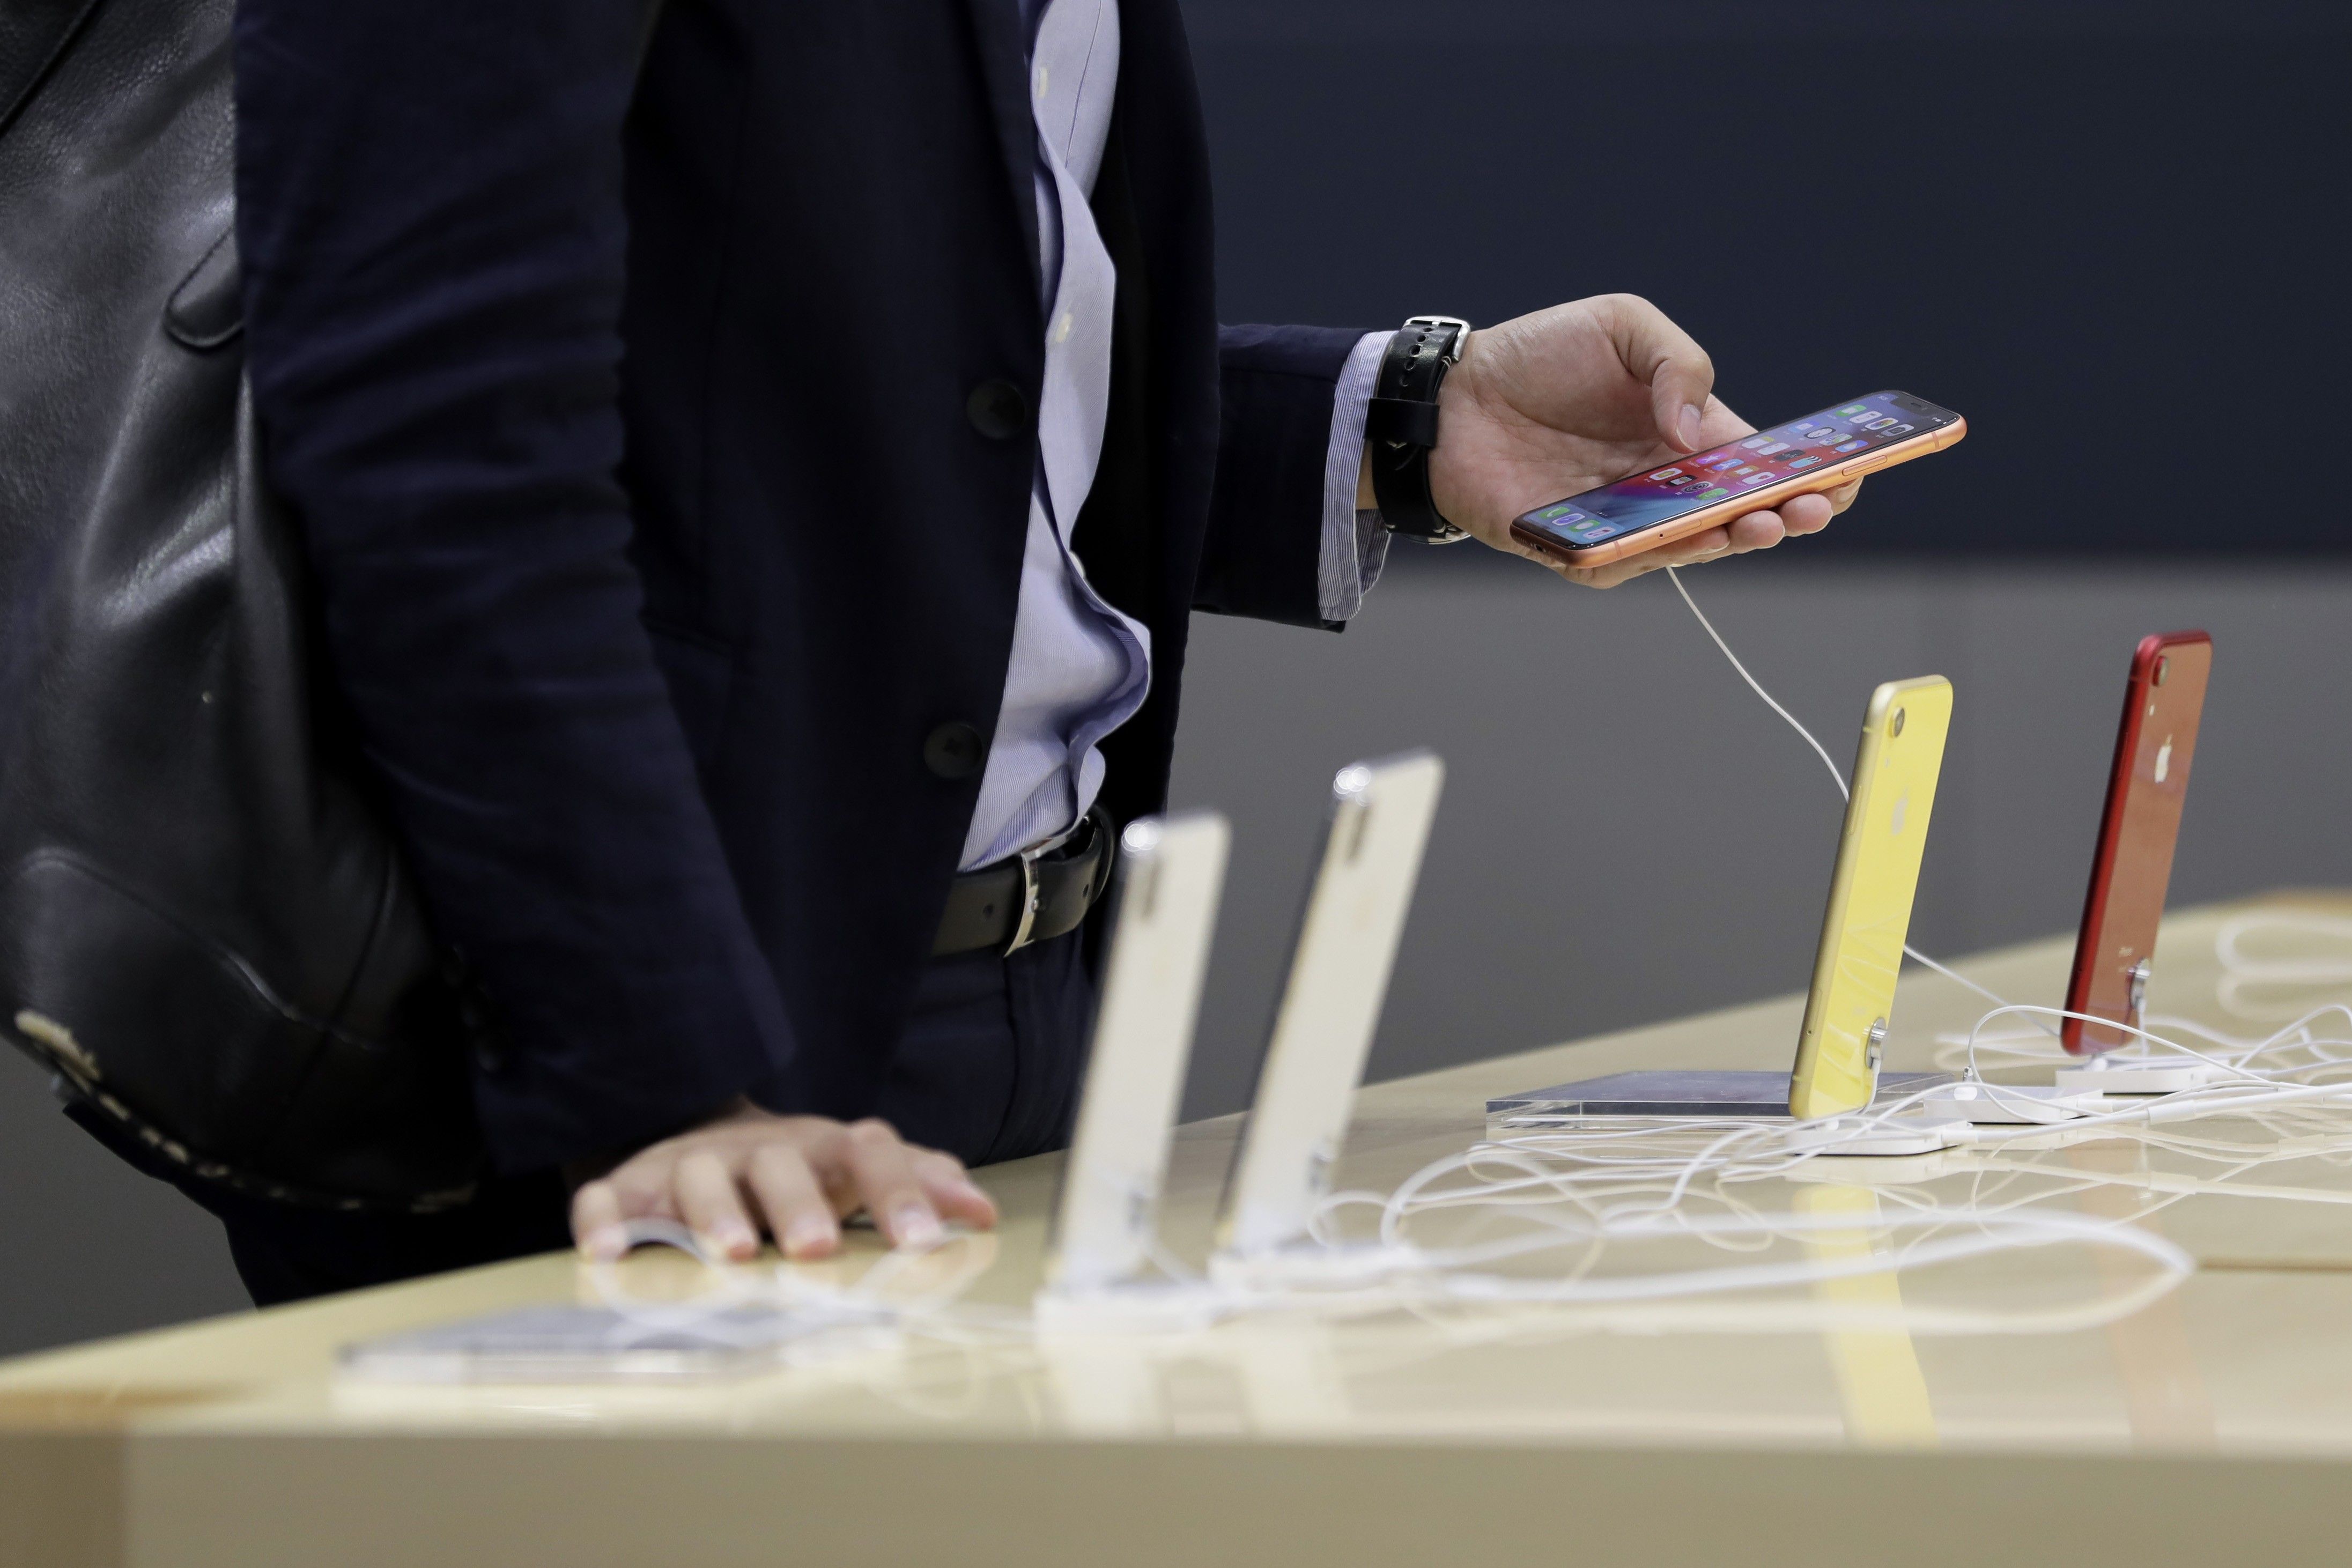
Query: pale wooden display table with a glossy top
point(2210, 1428)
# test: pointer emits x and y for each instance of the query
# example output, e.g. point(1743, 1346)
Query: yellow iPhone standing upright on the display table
point(1871, 897)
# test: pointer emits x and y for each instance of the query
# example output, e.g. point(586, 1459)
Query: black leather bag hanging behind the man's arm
point(206, 925)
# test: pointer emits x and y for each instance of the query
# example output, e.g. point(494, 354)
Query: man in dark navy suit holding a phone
point(756, 504)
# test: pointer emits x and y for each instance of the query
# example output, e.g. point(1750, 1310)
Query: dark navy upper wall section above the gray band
point(2109, 232)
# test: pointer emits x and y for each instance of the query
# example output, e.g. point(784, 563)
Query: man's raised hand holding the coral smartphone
point(1563, 401)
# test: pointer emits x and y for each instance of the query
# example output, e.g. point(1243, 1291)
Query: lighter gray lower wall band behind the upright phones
point(1629, 833)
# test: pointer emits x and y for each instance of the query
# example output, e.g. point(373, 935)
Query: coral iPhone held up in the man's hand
point(1753, 474)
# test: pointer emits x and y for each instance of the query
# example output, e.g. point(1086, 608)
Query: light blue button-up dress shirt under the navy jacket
point(1078, 666)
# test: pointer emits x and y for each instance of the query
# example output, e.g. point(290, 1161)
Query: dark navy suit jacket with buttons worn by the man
point(629, 424)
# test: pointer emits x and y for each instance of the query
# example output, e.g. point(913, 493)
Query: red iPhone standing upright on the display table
point(2137, 833)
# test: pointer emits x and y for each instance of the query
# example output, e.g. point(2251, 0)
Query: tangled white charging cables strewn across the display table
point(1584, 1193)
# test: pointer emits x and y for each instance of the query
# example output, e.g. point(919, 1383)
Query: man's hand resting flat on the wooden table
point(791, 1177)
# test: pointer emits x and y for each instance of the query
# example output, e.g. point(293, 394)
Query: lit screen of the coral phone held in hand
point(1753, 462)
